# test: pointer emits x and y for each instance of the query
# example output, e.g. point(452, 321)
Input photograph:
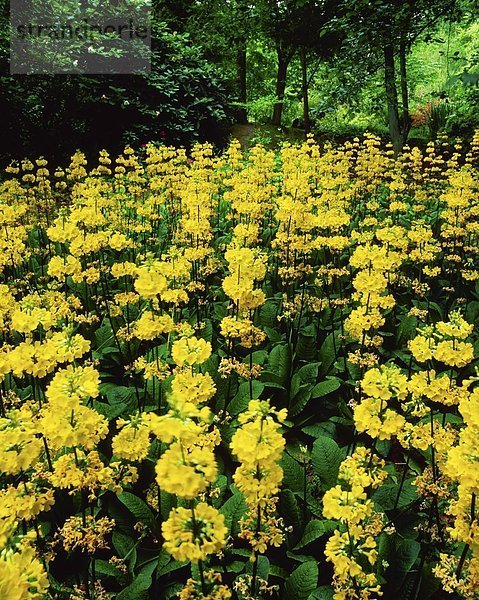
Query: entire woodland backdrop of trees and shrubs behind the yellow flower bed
point(400, 69)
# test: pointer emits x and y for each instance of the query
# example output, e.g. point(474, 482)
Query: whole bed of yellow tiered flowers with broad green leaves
point(158, 310)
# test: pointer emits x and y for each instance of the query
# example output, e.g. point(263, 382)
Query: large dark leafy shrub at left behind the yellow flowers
point(182, 100)
